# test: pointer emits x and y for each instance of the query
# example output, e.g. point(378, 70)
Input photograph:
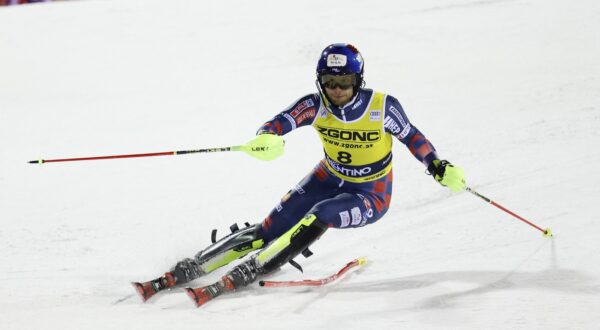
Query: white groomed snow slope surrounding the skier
point(508, 90)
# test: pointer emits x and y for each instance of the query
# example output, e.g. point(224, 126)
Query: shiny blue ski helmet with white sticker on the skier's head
point(341, 59)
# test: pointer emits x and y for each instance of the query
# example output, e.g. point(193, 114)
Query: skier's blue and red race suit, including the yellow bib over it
point(352, 186)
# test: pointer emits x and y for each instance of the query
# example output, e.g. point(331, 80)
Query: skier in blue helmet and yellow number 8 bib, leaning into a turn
point(351, 187)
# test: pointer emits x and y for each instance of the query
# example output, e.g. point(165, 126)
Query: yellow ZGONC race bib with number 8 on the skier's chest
point(358, 150)
